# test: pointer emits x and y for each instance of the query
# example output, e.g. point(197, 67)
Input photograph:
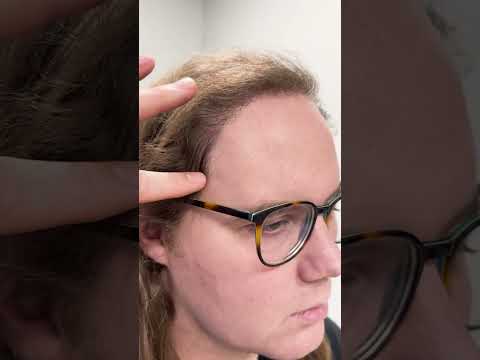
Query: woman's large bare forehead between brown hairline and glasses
point(278, 148)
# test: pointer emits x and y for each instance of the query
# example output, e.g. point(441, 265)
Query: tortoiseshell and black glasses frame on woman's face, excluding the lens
point(258, 218)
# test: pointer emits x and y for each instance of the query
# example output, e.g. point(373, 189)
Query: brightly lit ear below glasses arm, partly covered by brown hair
point(152, 240)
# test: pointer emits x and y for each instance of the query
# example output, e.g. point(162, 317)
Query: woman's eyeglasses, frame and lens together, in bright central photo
point(282, 230)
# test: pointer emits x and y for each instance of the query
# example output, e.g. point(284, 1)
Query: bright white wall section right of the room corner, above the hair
point(308, 29)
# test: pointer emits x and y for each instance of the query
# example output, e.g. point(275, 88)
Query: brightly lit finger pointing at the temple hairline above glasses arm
point(156, 186)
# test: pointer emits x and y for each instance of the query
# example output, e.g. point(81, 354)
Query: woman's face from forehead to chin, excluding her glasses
point(276, 149)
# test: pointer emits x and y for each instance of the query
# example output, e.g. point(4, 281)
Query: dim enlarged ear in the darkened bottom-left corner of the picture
point(28, 324)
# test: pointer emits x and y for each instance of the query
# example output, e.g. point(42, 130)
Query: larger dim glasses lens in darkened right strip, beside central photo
point(383, 269)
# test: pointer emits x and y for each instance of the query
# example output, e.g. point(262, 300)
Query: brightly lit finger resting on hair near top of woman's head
point(165, 98)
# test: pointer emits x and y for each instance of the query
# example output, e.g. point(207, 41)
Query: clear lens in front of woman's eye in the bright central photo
point(284, 231)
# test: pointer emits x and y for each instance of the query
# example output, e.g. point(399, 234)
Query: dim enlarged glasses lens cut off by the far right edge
point(463, 281)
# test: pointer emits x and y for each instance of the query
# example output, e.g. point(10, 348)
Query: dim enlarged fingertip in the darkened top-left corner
point(20, 16)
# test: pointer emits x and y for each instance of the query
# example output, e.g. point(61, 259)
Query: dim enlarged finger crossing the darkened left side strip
point(39, 195)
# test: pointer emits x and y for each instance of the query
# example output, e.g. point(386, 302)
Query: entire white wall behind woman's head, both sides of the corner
point(171, 30)
